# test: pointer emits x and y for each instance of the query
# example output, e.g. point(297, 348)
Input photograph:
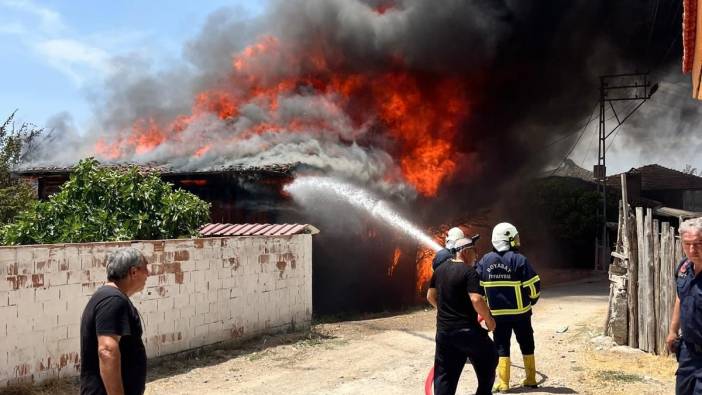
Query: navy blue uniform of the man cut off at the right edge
point(689, 288)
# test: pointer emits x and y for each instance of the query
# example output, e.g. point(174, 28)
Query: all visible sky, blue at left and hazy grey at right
point(55, 53)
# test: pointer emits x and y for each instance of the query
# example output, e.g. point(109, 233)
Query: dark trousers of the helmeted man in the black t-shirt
point(453, 348)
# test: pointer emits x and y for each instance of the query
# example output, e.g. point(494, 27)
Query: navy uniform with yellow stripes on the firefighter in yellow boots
point(511, 288)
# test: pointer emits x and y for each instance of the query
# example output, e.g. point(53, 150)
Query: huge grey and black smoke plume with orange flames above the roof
point(406, 95)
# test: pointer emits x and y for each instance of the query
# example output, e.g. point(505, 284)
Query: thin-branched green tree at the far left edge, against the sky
point(15, 141)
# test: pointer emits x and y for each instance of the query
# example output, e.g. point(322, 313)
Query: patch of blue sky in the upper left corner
point(55, 52)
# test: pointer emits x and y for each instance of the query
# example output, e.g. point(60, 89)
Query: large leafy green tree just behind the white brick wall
point(106, 204)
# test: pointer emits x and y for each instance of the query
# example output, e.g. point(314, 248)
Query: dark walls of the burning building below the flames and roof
point(380, 275)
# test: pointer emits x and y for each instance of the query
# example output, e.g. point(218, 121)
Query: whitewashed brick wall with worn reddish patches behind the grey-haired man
point(199, 292)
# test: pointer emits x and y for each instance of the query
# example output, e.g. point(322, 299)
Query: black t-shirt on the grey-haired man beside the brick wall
point(110, 312)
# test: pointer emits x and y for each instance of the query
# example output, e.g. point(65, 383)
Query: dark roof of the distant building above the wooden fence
point(656, 177)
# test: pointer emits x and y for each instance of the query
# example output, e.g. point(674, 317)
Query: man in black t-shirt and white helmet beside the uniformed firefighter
point(456, 293)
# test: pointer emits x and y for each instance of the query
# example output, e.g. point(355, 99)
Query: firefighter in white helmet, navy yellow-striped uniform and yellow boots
point(511, 288)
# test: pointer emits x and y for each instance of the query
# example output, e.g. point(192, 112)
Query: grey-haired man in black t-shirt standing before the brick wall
point(113, 358)
